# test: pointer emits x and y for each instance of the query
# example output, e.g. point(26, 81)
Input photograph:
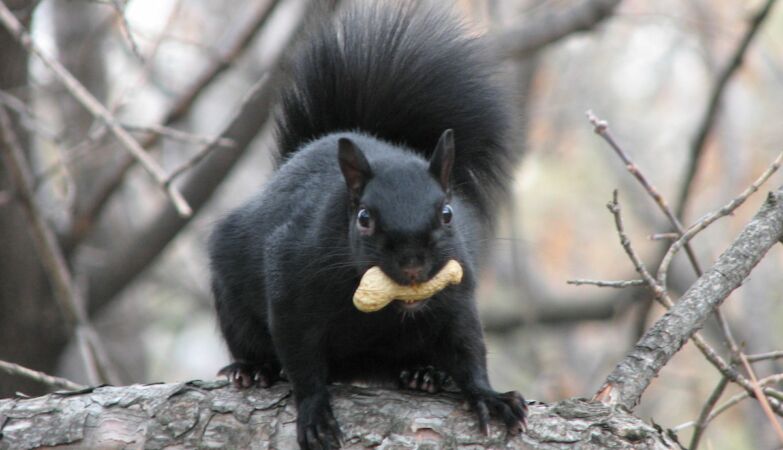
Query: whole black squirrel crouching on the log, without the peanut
point(393, 141)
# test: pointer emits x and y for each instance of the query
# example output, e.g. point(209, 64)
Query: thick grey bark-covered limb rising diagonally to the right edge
point(625, 385)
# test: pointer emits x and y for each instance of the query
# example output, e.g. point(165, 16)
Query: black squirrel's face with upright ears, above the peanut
point(401, 217)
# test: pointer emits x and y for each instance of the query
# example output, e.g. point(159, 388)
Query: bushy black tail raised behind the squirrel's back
point(404, 73)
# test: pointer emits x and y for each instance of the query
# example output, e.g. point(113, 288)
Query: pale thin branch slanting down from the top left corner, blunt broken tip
point(83, 96)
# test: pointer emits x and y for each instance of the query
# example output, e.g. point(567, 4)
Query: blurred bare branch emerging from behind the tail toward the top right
point(541, 31)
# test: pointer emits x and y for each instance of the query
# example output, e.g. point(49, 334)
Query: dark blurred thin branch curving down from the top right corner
point(707, 121)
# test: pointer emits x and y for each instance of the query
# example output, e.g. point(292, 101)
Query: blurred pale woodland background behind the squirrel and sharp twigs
point(648, 68)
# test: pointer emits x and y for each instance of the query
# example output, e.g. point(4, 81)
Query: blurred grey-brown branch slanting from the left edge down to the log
point(68, 297)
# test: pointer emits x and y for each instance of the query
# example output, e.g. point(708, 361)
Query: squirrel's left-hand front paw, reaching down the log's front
point(316, 427)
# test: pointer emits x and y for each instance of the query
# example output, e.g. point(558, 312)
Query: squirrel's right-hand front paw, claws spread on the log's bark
point(509, 407)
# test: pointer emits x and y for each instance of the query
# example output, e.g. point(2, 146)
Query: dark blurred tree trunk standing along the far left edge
point(31, 327)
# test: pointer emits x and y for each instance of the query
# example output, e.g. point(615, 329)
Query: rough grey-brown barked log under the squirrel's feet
point(213, 415)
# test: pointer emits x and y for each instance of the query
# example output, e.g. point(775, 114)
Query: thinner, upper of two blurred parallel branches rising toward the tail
point(86, 219)
